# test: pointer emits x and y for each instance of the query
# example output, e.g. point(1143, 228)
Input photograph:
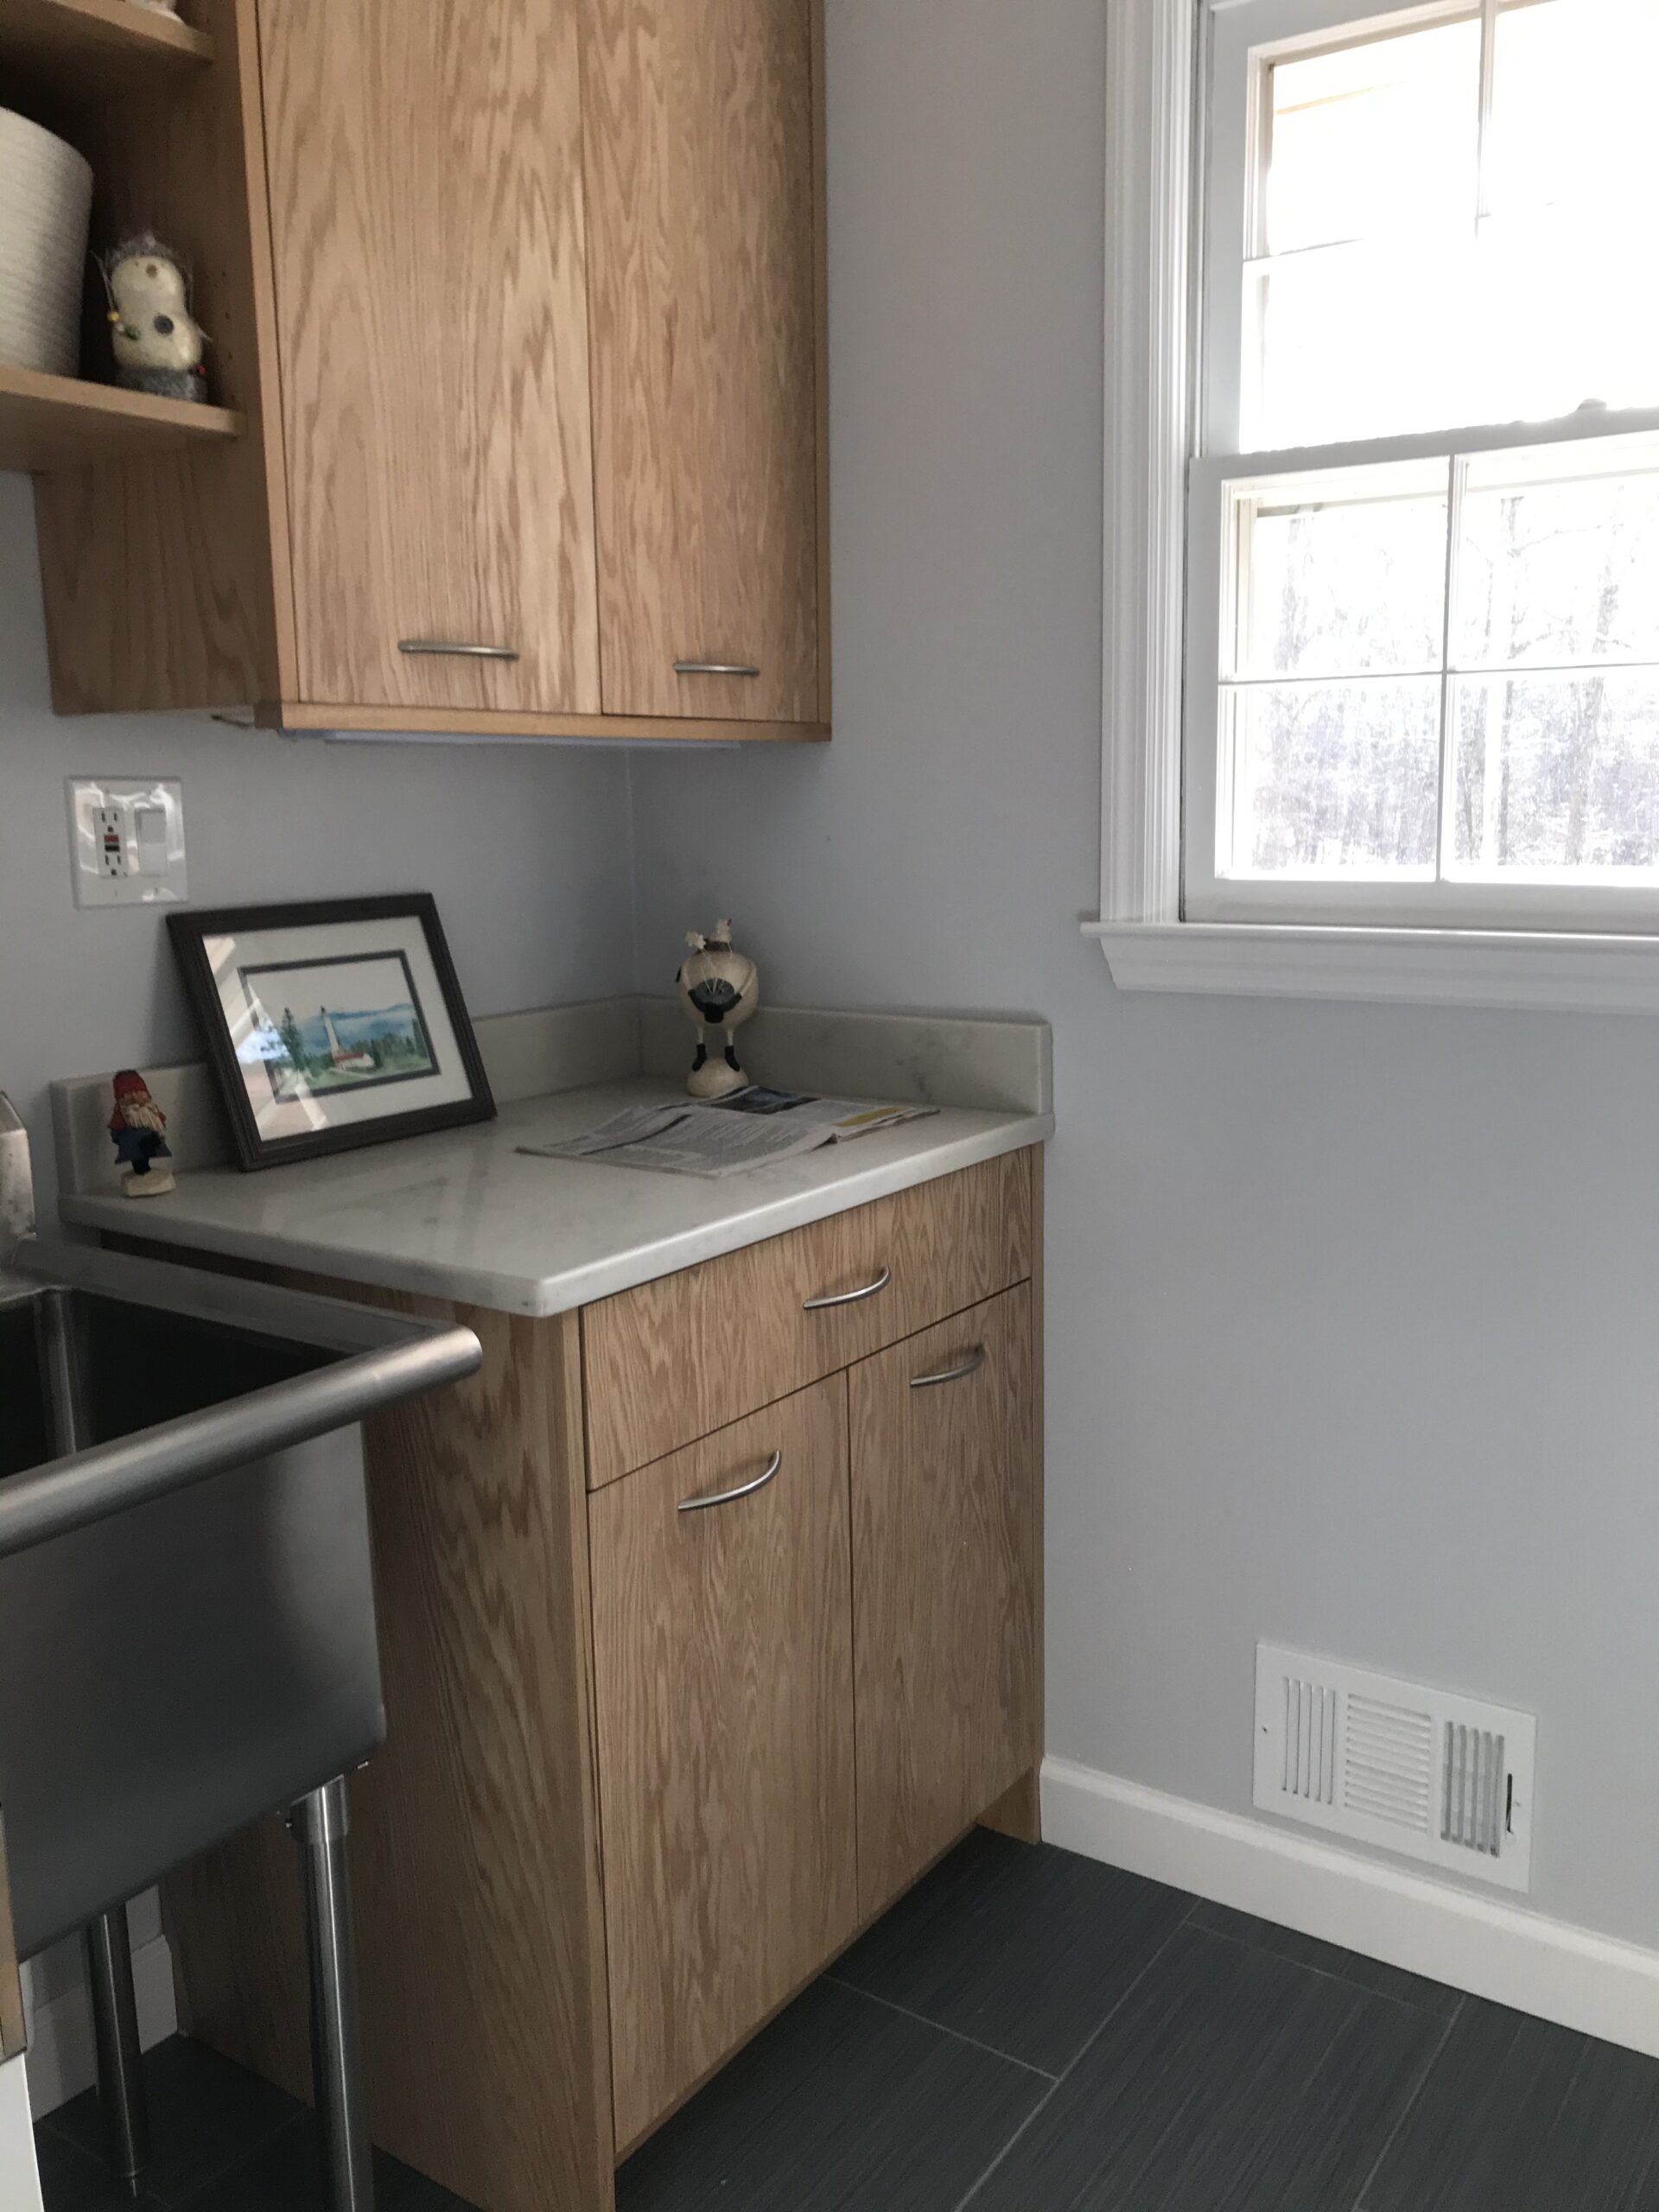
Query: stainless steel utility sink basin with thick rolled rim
point(187, 1605)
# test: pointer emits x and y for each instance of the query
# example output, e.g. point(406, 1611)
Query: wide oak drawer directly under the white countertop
point(678, 1359)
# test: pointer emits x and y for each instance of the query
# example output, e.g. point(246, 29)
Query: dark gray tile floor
point(1030, 2032)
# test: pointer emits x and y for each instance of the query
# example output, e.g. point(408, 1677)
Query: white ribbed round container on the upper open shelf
point(45, 205)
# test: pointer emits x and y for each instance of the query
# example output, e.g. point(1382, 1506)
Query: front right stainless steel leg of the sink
point(320, 1824)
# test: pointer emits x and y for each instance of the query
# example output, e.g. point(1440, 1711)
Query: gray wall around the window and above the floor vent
point(1353, 1313)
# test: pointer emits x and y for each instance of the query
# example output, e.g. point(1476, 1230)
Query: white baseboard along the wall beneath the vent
point(1492, 1950)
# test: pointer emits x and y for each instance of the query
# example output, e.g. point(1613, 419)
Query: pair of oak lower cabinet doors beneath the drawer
point(764, 1603)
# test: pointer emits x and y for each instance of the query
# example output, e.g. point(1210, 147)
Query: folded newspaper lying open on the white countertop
point(749, 1129)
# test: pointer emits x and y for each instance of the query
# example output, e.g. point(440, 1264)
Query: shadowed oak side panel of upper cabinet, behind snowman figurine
point(158, 572)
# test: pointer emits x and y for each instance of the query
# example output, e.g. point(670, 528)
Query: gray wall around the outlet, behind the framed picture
point(525, 851)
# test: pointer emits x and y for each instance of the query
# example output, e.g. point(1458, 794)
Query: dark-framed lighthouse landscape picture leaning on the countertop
point(331, 1025)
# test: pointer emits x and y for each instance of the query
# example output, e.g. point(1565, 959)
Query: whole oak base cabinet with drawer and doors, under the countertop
point(671, 1720)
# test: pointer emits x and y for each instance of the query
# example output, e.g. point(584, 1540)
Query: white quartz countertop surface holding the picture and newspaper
point(466, 1215)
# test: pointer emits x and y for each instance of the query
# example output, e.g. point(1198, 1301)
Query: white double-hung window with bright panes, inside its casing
point(1421, 620)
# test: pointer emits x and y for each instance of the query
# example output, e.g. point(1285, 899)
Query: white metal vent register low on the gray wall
point(1392, 1764)
